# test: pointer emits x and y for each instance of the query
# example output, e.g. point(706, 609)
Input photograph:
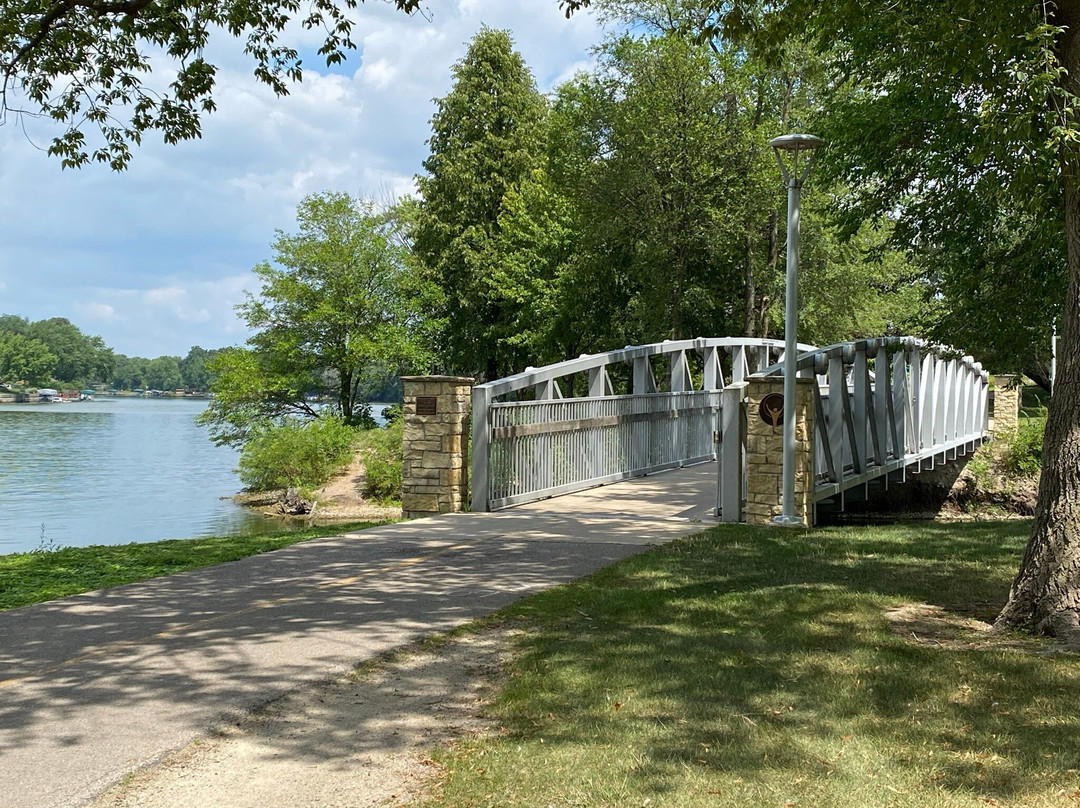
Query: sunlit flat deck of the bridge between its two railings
point(681, 494)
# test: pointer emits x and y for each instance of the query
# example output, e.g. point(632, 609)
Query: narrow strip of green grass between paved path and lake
point(29, 578)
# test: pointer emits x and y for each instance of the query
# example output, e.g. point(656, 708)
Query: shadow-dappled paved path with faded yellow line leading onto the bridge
point(96, 686)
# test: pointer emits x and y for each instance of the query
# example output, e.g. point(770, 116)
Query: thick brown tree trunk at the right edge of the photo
point(1046, 595)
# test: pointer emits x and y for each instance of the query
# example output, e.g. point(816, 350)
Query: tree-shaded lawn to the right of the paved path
point(746, 667)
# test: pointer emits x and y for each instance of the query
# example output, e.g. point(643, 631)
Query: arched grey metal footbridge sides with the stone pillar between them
point(874, 412)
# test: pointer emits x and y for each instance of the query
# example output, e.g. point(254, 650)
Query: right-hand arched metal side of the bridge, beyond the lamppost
point(885, 406)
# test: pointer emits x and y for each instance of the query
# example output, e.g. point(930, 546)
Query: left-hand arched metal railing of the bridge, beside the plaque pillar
point(533, 439)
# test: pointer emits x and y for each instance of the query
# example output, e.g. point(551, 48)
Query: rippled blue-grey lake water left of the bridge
point(113, 472)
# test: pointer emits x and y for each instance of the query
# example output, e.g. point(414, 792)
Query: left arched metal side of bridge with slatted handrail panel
point(694, 438)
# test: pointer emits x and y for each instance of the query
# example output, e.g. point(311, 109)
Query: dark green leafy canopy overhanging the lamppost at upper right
point(944, 124)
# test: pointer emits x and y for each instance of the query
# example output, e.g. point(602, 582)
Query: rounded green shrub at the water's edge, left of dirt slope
point(296, 454)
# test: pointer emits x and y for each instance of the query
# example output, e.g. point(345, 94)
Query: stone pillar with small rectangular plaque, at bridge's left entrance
point(436, 433)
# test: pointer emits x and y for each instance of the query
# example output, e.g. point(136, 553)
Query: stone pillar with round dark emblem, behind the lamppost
point(765, 451)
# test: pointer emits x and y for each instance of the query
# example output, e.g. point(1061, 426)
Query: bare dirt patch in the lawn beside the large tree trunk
point(927, 625)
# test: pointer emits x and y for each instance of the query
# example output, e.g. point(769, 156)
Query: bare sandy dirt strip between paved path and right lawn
point(362, 740)
